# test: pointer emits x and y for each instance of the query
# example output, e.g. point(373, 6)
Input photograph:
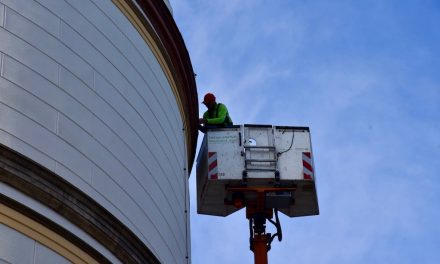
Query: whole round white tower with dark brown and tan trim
point(98, 112)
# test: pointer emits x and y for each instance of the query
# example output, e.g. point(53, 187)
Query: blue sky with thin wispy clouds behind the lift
point(365, 77)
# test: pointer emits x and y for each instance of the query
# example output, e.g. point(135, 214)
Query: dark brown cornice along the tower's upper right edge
point(159, 22)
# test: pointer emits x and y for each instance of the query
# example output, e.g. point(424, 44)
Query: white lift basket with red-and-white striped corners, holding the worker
point(236, 164)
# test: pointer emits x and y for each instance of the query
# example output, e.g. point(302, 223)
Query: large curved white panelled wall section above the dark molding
point(82, 94)
